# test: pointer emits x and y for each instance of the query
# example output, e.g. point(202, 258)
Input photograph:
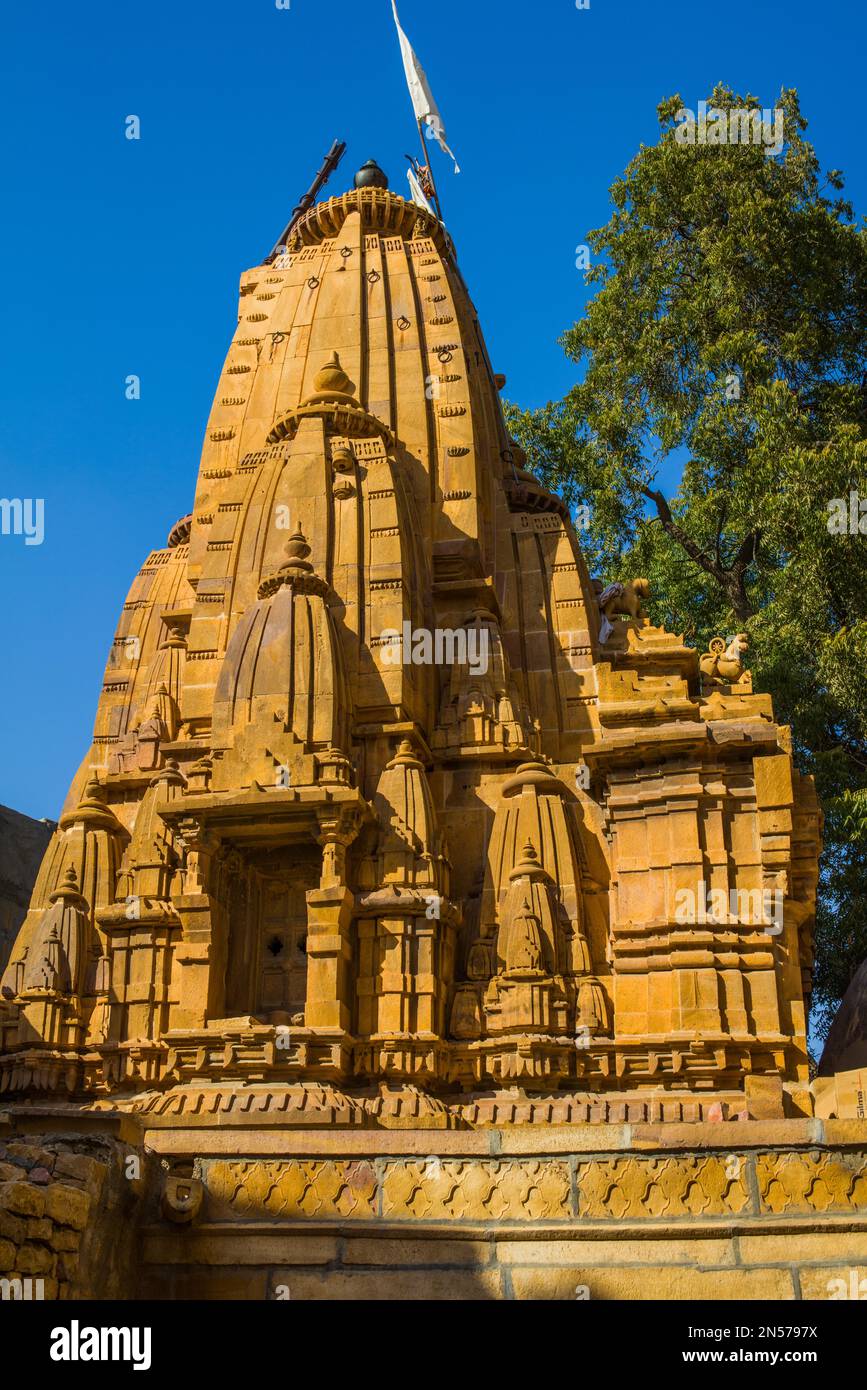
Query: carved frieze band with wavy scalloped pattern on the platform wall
point(540, 1189)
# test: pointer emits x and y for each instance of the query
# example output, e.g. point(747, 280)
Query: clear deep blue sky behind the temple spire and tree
point(124, 256)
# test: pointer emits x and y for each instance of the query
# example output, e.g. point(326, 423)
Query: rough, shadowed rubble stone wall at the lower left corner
point(67, 1216)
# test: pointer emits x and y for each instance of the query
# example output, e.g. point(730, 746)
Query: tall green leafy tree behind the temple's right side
point(729, 337)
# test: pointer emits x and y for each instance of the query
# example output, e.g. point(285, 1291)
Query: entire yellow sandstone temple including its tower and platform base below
point(422, 922)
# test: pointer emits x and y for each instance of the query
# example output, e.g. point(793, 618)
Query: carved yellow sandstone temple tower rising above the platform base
point(376, 829)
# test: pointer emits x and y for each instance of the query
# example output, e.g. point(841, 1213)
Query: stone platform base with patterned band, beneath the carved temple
point(744, 1210)
